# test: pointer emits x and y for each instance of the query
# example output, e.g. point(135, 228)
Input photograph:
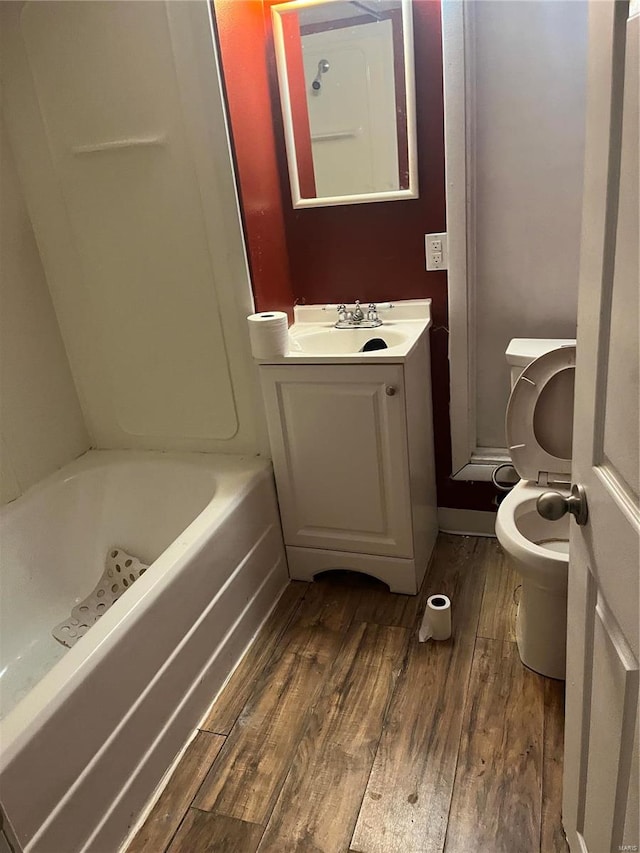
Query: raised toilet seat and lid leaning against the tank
point(539, 423)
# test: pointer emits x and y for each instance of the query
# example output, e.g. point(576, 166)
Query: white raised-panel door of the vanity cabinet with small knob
point(339, 444)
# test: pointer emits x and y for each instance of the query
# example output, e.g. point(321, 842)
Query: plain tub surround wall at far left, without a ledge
point(41, 425)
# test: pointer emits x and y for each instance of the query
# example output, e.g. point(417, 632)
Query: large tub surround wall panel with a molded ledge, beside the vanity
point(121, 143)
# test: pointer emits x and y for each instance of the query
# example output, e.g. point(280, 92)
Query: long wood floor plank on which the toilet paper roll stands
point(407, 799)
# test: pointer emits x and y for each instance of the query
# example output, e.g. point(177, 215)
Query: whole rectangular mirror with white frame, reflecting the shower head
point(345, 71)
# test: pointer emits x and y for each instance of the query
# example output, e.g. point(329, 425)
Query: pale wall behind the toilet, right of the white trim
point(530, 76)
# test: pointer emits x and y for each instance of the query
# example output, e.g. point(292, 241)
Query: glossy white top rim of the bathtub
point(234, 477)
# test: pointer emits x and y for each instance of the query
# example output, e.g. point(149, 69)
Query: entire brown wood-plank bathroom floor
point(340, 732)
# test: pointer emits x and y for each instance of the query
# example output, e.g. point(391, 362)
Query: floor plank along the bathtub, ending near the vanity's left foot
point(237, 691)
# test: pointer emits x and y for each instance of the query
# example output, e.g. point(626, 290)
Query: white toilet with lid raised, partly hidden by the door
point(539, 430)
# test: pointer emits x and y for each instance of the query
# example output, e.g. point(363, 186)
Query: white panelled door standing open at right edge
point(600, 808)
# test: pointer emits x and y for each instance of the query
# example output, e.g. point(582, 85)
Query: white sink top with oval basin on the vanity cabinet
point(313, 338)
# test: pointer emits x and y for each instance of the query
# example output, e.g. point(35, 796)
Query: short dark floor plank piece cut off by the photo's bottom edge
point(203, 832)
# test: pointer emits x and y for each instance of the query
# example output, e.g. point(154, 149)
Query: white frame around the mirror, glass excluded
point(287, 118)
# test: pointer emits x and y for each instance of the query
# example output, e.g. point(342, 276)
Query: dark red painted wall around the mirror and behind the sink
point(371, 252)
